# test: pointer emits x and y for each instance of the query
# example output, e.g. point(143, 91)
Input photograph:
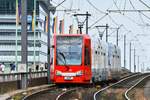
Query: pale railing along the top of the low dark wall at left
point(18, 76)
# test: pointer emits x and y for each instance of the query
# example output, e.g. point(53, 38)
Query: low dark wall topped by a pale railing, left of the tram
point(11, 82)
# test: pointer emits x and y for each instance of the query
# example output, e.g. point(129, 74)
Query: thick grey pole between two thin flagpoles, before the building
point(24, 41)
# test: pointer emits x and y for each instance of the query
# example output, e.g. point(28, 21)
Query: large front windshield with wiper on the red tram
point(69, 50)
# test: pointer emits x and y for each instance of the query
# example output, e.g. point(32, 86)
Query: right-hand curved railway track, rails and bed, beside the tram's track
point(116, 91)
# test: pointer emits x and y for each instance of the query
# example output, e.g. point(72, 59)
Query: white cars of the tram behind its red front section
point(106, 61)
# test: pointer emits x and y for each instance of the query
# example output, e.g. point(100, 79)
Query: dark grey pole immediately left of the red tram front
point(48, 47)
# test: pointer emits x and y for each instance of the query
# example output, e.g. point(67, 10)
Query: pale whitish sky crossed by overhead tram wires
point(135, 22)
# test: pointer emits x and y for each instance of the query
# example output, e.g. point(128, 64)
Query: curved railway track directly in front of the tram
point(66, 93)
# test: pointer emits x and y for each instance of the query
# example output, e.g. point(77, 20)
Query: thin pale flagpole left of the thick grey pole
point(16, 49)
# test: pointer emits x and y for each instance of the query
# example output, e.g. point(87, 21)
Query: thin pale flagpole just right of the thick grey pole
point(34, 15)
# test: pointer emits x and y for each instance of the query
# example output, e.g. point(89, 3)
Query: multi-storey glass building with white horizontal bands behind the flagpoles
point(8, 34)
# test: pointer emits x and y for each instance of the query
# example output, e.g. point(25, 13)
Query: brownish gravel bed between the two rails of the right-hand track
point(116, 92)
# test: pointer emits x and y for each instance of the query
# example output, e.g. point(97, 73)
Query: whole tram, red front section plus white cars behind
point(78, 60)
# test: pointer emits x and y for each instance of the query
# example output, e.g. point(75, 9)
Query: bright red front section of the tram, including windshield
point(72, 59)
